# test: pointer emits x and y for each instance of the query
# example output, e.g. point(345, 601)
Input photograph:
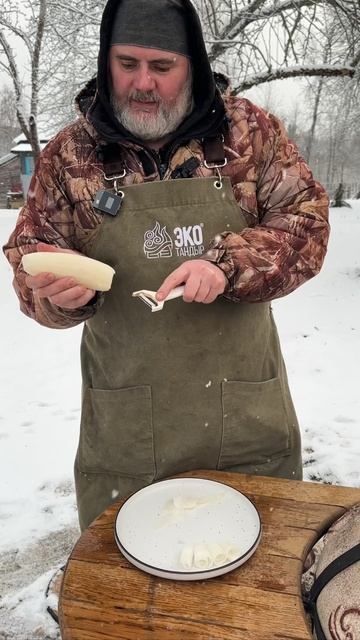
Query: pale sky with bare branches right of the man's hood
point(257, 41)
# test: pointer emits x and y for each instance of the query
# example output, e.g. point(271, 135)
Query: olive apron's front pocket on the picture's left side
point(116, 433)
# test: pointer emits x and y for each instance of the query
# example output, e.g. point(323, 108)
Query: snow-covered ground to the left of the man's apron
point(39, 417)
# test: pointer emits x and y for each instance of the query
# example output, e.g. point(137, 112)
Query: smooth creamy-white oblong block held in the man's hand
point(88, 272)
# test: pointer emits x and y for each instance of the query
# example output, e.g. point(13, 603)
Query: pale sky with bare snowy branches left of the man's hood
point(60, 40)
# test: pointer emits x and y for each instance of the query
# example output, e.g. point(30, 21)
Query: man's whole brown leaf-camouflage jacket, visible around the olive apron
point(286, 210)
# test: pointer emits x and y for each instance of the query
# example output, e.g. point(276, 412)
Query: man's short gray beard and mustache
point(149, 126)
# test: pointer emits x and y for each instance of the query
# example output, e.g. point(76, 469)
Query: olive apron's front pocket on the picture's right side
point(255, 423)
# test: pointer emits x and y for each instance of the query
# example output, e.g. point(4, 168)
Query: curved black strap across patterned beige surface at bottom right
point(333, 569)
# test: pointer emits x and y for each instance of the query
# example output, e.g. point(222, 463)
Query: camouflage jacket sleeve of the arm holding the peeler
point(288, 245)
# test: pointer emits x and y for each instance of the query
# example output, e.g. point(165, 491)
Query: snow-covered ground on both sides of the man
point(319, 327)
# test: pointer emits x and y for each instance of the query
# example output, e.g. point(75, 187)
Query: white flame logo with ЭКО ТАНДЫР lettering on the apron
point(188, 241)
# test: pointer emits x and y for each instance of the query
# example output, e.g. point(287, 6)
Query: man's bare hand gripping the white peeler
point(203, 281)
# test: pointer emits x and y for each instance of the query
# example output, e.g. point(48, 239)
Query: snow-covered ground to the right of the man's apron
point(319, 326)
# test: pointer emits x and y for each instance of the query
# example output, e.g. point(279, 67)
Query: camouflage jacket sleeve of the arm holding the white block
point(37, 223)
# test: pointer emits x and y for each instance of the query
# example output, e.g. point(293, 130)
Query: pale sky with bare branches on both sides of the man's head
point(253, 41)
